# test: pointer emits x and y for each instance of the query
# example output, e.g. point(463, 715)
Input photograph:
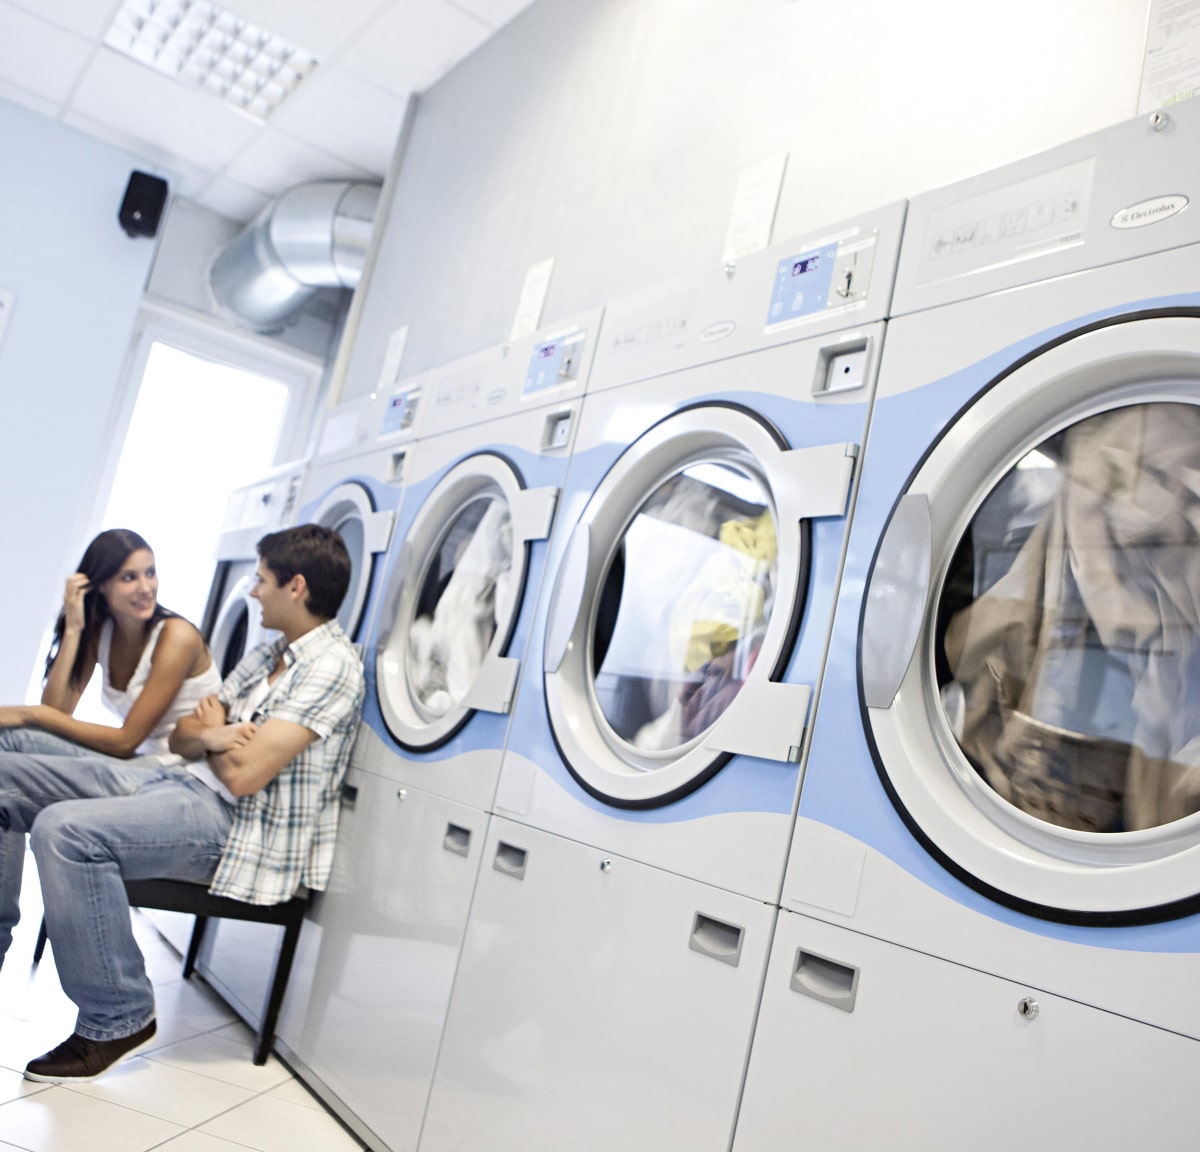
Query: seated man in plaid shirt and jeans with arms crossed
point(248, 805)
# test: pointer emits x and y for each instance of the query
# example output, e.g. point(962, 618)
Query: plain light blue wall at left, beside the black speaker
point(79, 283)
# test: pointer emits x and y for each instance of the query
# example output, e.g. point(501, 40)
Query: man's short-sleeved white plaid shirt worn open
point(283, 837)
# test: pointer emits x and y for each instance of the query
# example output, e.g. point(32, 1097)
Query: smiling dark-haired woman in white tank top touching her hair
point(155, 665)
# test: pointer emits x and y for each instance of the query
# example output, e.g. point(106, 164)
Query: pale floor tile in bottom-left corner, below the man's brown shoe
point(63, 1121)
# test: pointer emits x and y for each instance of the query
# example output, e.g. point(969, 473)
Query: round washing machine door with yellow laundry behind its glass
point(681, 590)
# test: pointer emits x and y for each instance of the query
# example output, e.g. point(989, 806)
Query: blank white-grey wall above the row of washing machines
point(610, 135)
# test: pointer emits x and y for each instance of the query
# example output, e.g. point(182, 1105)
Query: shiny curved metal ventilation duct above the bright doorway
point(313, 237)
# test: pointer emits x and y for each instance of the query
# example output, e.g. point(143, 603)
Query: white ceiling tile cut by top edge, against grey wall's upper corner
point(415, 44)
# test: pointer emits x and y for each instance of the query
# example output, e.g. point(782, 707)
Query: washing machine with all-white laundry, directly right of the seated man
point(442, 664)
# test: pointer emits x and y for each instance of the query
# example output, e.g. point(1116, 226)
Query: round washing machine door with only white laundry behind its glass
point(453, 602)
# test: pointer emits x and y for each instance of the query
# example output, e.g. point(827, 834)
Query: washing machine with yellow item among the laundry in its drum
point(622, 920)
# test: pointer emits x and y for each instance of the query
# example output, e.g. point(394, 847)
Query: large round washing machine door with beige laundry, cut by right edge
point(1030, 643)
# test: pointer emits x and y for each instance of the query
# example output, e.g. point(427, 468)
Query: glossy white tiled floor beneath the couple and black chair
point(195, 1090)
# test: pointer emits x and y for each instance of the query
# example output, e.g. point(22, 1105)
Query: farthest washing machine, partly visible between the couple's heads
point(232, 622)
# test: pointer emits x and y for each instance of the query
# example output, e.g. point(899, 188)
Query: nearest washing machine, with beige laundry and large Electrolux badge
point(1001, 795)
